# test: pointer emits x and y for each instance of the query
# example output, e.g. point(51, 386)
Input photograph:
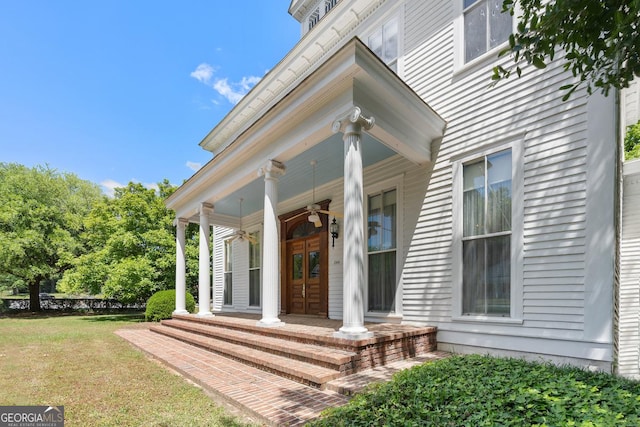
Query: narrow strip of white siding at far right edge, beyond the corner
point(629, 321)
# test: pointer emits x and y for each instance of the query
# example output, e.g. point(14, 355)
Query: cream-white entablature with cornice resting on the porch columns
point(352, 78)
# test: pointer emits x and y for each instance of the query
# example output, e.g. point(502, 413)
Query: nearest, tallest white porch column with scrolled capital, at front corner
point(354, 239)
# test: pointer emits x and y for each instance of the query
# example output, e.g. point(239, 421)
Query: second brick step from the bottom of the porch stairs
point(339, 360)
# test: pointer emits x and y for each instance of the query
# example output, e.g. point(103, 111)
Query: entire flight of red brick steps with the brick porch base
point(307, 354)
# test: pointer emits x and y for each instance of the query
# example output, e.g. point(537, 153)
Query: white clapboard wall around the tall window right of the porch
point(555, 287)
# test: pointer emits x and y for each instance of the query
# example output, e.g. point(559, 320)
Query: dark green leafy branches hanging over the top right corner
point(600, 40)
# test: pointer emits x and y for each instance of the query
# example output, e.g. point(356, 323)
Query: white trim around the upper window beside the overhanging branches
point(491, 55)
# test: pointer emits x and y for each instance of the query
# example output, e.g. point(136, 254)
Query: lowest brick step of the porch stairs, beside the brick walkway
point(302, 372)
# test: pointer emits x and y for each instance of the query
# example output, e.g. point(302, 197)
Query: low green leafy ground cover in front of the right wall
point(485, 391)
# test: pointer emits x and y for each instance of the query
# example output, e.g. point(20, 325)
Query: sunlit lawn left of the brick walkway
point(78, 362)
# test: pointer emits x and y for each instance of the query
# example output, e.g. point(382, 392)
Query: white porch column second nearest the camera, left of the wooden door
point(270, 250)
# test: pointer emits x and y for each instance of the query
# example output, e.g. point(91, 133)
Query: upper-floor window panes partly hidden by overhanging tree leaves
point(485, 27)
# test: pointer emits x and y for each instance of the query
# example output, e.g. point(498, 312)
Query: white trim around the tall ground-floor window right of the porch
point(515, 144)
